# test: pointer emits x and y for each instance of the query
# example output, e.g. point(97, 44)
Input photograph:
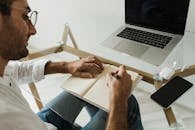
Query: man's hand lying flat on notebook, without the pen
point(86, 67)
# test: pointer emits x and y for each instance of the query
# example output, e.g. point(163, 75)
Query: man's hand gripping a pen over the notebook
point(119, 84)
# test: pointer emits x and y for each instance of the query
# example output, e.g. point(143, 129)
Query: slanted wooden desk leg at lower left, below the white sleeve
point(35, 93)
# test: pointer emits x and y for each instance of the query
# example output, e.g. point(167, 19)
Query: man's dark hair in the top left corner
point(5, 6)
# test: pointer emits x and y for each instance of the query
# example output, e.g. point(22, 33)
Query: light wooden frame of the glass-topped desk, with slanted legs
point(81, 54)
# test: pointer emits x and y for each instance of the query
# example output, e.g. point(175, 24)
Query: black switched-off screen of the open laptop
point(164, 15)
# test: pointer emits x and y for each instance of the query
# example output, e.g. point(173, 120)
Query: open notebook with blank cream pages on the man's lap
point(95, 90)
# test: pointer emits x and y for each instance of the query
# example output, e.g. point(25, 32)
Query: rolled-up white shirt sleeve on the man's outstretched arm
point(26, 71)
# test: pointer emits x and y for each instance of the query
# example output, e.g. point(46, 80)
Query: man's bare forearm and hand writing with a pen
point(119, 84)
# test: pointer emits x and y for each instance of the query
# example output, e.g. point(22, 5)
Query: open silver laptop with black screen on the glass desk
point(152, 29)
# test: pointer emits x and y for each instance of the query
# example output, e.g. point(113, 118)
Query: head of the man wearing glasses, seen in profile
point(15, 29)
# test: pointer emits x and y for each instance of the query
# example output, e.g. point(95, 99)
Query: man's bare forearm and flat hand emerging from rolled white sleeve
point(85, 67)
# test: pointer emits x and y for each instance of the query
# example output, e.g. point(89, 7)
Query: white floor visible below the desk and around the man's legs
point(153, 117)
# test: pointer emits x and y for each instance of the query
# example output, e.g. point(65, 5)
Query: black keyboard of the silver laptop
point(144, 37)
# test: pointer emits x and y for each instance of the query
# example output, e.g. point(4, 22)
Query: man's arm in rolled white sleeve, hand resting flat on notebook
point(34, 70)
